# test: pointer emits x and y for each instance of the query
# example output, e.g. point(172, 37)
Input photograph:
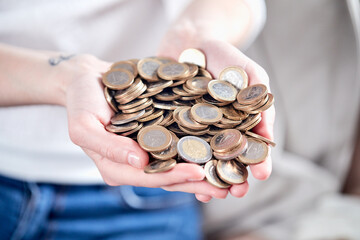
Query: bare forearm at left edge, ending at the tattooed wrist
point(28, 78)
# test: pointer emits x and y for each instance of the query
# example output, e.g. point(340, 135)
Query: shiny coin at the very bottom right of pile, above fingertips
point(231, 172)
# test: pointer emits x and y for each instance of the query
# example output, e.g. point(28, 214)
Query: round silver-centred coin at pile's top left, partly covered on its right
point(147, 69)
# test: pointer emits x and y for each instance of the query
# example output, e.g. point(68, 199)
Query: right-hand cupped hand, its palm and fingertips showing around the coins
point(219, 55)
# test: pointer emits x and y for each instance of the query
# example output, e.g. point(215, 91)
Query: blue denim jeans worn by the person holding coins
point(48, 211)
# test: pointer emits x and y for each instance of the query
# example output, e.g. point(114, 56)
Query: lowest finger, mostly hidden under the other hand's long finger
point(199, 187)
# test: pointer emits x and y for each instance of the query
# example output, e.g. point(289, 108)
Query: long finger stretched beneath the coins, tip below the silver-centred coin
point(116, 174)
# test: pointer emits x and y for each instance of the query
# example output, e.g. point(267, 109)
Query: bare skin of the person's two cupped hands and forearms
point(88, 112)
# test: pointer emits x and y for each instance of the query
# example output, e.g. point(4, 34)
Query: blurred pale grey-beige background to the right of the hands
point(310, 49)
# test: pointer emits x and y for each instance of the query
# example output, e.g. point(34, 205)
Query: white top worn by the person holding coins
point(34, 140)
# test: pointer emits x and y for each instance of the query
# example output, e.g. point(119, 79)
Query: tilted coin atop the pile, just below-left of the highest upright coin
point(173, 71)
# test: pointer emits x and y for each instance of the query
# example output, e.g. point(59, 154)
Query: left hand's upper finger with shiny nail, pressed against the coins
point(88, 132)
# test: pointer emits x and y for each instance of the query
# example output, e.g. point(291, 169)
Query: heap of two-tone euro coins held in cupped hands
point(178, 113)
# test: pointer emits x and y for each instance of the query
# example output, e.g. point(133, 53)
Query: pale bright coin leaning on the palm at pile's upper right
point(236, 76)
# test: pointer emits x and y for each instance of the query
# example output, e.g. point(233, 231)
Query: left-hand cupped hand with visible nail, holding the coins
point(120, 160)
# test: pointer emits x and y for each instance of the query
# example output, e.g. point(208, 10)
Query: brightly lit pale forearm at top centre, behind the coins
point(230, 21)
